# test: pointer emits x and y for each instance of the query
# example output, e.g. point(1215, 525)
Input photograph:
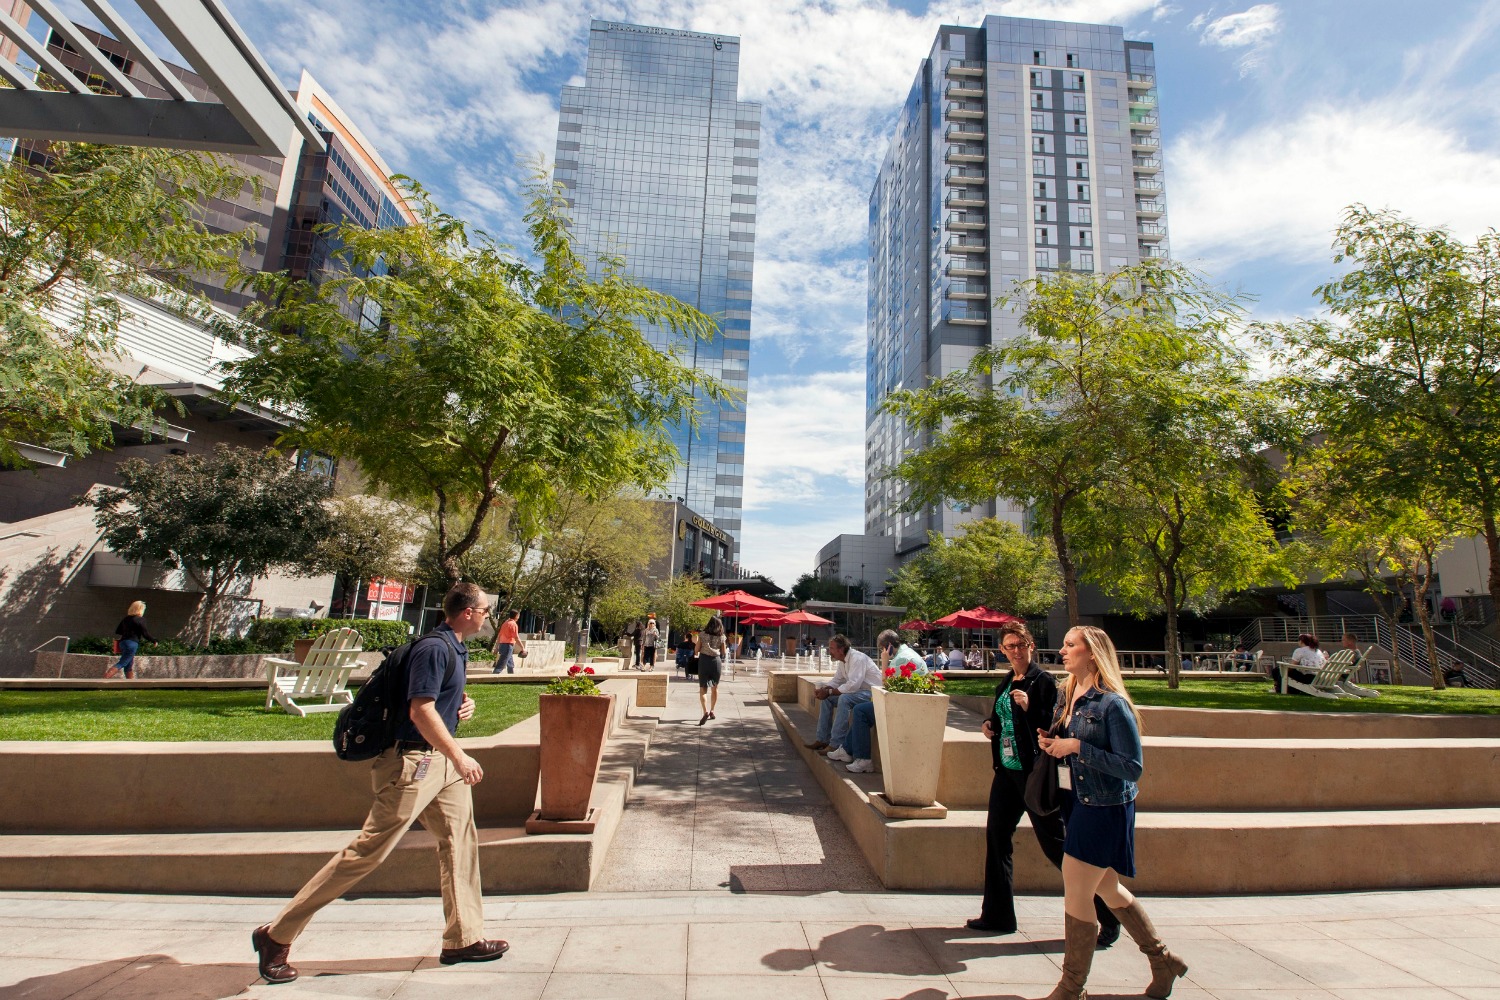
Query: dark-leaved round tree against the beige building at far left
point(224, 519)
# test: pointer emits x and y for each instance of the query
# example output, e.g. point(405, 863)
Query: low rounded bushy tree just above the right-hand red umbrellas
point(991, 563)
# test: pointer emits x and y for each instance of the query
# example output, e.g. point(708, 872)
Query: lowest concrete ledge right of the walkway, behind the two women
point(1180, 852)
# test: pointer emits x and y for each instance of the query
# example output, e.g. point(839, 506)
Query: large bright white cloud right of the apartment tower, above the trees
point(1277, 191)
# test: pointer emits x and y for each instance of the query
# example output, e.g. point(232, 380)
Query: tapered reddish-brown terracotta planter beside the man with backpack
point(574, 729)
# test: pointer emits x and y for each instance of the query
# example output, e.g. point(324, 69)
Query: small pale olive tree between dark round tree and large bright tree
point(365, 539)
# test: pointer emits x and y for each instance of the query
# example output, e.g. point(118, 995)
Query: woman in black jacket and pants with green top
point(1025, 701)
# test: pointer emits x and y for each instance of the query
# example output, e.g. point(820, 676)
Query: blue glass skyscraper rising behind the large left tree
point(658, 160)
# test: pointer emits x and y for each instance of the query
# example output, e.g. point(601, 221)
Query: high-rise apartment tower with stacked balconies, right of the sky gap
point(1024, 148)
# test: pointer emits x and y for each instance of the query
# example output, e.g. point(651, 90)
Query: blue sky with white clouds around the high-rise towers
point(1274, 116)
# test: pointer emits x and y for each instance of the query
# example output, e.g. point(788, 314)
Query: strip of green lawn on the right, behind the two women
point(1247, 695)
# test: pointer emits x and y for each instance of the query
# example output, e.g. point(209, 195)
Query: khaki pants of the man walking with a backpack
point(446, 809)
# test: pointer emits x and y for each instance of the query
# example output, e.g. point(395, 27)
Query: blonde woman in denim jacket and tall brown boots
point(1100, 755)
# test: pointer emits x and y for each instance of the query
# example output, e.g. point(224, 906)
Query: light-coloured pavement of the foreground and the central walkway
point(712, 893)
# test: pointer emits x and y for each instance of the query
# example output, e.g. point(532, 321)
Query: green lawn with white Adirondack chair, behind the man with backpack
point(217, 716)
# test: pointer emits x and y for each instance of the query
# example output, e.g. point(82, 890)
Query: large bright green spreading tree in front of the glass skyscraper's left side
point(487, 377)
